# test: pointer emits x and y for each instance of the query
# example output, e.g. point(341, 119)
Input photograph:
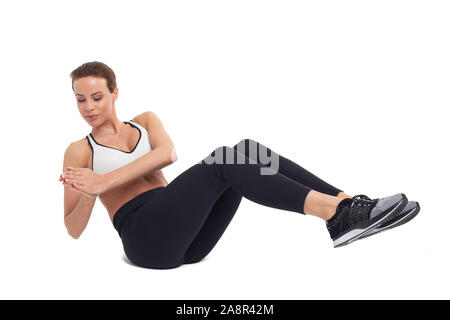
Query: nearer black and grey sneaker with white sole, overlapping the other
point(358, 215)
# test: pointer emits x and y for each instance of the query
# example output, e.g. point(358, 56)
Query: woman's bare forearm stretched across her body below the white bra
point(156, 159)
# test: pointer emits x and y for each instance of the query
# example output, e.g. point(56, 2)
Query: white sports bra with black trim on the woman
point(106, 159)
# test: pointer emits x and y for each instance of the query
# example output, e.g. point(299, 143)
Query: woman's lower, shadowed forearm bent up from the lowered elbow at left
point(77, 220)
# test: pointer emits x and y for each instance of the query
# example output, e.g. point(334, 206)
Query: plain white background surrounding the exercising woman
point(357, 92)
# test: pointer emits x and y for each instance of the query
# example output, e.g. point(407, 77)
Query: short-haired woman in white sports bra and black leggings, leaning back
point(163, 225)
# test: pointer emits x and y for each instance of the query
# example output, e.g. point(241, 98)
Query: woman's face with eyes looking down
point(94, 99)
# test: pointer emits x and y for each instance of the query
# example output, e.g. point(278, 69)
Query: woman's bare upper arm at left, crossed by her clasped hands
point(74, 156)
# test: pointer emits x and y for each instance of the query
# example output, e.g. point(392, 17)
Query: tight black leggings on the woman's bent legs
point(181, 223)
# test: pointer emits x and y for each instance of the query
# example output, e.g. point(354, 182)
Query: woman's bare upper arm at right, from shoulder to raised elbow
point(157, 134)
